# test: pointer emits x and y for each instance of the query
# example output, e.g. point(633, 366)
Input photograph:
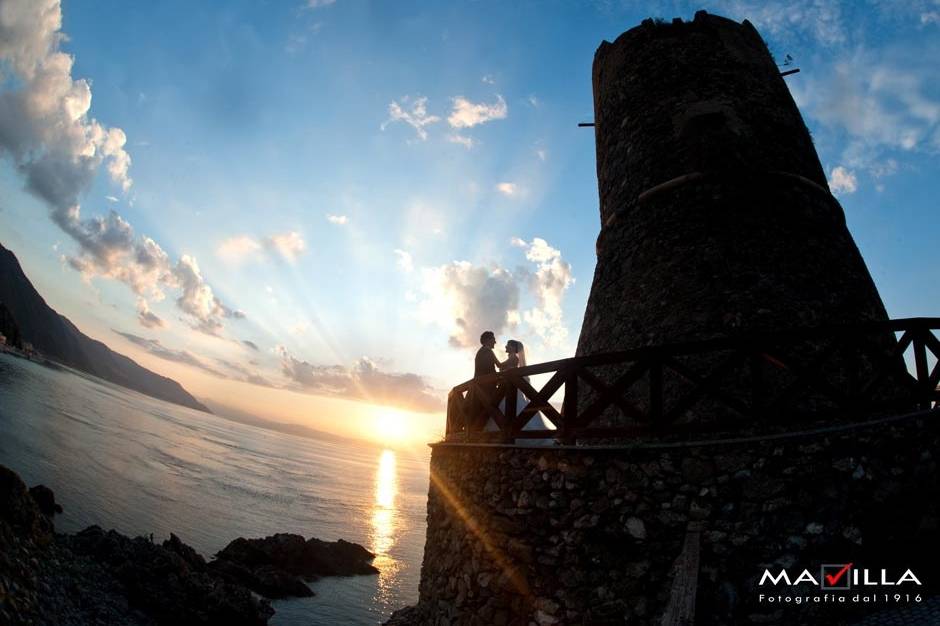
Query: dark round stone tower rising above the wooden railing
point(716, 217)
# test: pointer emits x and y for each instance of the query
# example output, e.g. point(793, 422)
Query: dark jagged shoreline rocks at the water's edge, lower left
point(103, 577)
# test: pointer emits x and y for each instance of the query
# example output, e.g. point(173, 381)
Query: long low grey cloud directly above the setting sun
point(363, 381)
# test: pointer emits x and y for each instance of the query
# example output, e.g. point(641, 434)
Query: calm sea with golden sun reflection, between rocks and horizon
point(123, 460)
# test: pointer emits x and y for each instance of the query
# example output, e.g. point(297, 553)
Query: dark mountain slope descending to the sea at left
point(59, 339)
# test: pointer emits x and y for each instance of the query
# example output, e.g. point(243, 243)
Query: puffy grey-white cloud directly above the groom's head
point(468, 299)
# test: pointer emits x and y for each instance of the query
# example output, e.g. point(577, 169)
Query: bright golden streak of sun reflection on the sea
point(385, 525)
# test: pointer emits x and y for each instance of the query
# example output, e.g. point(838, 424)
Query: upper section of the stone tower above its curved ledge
point(674, 98)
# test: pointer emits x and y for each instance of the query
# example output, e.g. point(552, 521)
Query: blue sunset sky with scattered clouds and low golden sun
point(310, 210)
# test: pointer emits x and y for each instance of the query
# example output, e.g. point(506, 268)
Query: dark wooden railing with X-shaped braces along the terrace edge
point(851, 371)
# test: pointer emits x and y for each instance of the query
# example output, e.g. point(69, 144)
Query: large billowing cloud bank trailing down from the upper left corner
point(46, 131)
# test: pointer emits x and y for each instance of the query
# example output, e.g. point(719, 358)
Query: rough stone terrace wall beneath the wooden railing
point(572, 535)
